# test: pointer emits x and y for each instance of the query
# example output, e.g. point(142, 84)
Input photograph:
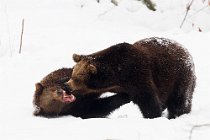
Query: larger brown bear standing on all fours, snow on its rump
point(156, 73)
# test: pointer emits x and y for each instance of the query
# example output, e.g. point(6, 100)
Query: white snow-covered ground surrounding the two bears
point(55, 29)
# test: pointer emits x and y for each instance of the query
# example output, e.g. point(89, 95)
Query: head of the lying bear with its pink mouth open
point(50, 100)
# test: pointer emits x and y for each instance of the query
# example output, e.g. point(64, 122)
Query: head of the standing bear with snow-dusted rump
point(91, 74)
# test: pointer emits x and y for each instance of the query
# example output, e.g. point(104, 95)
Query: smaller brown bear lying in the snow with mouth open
point(51, 99)
